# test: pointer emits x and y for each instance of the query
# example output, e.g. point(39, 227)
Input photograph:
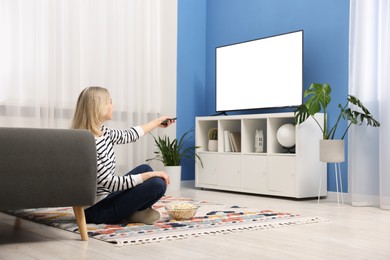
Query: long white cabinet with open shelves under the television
point(275, 171)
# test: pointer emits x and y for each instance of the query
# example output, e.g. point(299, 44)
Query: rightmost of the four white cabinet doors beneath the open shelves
point(281, 174)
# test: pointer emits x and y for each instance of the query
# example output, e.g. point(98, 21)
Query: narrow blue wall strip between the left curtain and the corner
point(191, 71)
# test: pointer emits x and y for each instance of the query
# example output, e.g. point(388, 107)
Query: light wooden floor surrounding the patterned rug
point(351, 233)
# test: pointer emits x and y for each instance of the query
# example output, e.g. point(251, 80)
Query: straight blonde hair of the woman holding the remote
point(92, 105)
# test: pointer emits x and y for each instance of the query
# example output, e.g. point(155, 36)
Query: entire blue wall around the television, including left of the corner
point(206, 24)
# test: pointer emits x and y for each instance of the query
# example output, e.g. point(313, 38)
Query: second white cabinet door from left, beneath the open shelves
point(229, 170)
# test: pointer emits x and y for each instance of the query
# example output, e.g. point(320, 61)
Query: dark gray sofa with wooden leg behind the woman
point(48, 168)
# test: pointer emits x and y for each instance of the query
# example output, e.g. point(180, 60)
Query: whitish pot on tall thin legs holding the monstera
point(332, 151)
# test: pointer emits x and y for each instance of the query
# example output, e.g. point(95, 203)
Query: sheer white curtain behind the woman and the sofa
point(52, 49)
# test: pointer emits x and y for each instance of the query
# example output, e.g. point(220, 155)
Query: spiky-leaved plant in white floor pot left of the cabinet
point(170, 152)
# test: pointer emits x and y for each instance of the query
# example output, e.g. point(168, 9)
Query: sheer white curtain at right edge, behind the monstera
point(369, 70)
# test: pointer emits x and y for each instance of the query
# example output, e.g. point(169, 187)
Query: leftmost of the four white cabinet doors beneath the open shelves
point(208, 173)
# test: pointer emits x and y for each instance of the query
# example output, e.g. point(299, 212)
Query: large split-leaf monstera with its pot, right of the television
point(317, 101)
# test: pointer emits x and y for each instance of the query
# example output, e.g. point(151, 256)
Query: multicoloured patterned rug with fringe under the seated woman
point(210, 219)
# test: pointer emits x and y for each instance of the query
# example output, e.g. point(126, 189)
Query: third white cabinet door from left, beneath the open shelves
point(254, 173)
